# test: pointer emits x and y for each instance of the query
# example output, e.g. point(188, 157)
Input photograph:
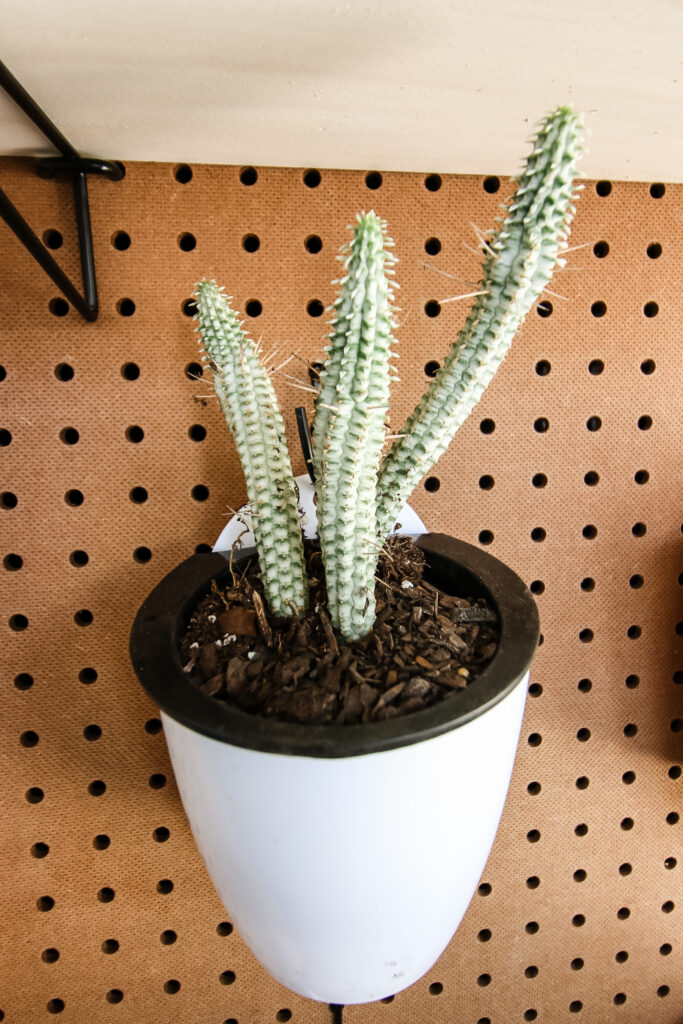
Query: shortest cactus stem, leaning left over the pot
point(250, 406)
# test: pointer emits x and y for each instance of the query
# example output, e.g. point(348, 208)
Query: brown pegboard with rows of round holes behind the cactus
point(117, 465)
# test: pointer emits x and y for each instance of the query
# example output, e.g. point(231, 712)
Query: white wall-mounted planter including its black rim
point(347, 856)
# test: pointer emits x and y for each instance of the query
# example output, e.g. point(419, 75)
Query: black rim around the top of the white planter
point(154, 652)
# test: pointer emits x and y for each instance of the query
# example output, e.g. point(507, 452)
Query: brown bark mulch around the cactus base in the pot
point(424, 648)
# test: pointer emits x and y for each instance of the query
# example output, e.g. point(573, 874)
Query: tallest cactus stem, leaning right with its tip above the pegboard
point(519, 266)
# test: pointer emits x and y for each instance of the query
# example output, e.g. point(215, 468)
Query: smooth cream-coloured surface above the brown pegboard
point(445, 86)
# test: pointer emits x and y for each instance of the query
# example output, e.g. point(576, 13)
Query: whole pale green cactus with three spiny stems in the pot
point(358, 498)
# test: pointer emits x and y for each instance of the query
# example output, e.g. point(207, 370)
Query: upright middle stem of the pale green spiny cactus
point(349, 430)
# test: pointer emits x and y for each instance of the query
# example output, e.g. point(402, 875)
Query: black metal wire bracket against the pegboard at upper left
point(71, 163)
